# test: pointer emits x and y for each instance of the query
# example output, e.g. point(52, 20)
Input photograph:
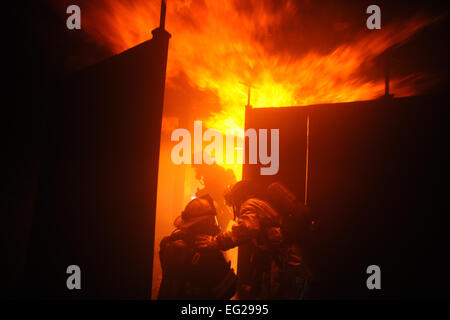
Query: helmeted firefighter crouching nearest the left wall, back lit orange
point(189, 272)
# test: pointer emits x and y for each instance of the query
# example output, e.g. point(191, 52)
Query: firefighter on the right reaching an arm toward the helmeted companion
point(277, 270)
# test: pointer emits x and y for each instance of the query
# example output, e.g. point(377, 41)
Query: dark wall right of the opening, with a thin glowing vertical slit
point(378, 185)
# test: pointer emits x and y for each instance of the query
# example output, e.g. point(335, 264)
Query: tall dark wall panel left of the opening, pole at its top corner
point(96, 200)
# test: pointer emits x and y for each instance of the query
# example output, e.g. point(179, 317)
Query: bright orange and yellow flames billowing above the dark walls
point(219, 48)
